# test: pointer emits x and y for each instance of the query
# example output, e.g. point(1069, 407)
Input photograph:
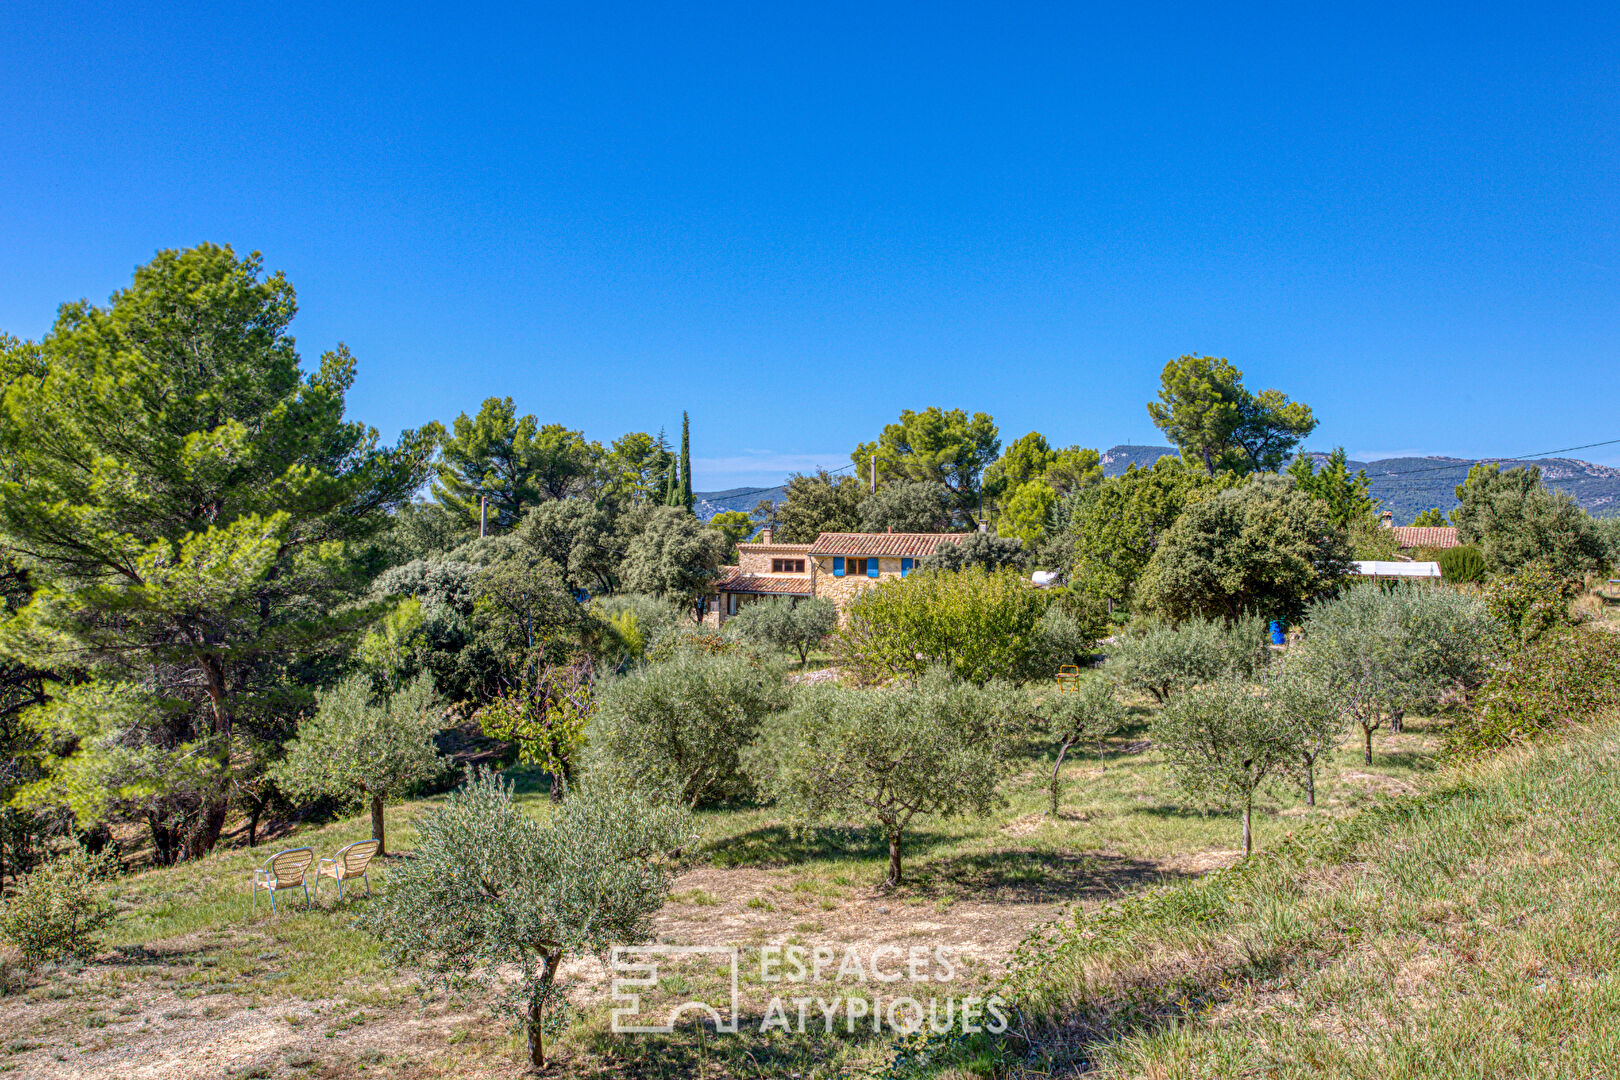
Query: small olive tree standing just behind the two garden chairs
point(362, 750)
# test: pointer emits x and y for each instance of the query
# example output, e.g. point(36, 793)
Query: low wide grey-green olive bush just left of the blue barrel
point(1166, 661)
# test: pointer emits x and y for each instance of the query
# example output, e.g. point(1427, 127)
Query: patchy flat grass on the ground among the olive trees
point(195, 932)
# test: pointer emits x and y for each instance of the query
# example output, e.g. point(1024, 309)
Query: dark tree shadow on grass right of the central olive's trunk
point(1038, 877)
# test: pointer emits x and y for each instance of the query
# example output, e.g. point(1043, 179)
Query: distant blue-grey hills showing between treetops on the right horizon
point(1407, 487)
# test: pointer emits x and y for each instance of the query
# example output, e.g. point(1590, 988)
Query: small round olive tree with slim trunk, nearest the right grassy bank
point(1224, 742)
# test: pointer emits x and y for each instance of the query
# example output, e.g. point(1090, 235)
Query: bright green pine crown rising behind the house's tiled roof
point(940, 446)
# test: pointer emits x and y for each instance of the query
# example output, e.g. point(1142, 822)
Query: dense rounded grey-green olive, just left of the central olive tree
point(676, 728)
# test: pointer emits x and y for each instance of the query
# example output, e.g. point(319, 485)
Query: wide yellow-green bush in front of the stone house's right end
point(978, 624)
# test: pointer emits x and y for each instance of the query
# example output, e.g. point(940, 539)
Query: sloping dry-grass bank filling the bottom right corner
point(1462, 933)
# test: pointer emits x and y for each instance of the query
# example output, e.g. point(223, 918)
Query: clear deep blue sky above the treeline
point(798, 219)
